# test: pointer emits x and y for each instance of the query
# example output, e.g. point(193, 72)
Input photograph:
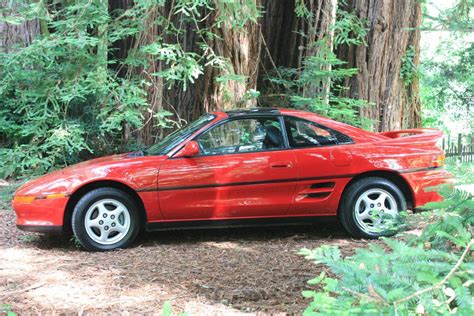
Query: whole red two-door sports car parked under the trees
point(242, 167)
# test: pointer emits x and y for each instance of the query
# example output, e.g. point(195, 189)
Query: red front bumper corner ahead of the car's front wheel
point(41, 215)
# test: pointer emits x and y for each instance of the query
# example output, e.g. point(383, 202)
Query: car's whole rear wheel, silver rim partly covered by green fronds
point(371, 208)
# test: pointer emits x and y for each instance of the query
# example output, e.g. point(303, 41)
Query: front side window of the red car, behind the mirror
point(243, 135)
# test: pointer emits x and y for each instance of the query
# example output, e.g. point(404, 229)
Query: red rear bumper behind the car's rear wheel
point(420, 181)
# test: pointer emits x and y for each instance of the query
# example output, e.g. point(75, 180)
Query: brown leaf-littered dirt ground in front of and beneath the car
point(212, 272)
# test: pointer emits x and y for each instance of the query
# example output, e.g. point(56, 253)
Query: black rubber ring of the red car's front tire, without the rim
point(87, 201)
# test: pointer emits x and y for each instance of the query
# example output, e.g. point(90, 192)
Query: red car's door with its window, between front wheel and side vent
point(244, 170)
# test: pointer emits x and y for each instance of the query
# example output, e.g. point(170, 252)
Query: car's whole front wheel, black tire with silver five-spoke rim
point(105, 219)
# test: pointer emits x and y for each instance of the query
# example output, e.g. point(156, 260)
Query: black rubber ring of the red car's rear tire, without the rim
point(355, 191)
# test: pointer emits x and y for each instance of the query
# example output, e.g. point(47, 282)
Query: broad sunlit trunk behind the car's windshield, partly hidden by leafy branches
point(241, 49)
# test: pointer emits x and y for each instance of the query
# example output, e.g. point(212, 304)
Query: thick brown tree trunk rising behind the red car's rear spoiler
point(396, 105)
